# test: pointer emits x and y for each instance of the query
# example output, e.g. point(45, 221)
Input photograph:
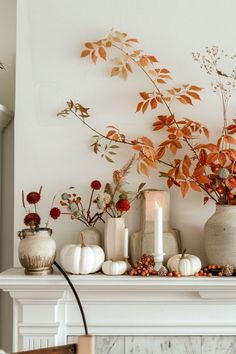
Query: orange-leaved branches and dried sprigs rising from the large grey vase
point(208, 167)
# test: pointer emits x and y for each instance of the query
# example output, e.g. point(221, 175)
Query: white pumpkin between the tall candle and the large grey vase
point(185, 264)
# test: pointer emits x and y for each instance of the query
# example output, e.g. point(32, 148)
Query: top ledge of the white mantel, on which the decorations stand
point(14, 279)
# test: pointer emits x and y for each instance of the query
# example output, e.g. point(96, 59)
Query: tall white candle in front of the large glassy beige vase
point(158, 230)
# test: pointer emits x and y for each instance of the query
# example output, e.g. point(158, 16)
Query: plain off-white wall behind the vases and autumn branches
point(55, 153)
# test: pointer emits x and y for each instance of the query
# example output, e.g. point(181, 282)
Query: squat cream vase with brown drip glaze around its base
point(37, 251)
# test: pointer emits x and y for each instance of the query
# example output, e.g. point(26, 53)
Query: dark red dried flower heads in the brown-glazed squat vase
point(33, 219)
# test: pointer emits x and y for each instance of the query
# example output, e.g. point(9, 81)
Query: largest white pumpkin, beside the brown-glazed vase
point(82, 259)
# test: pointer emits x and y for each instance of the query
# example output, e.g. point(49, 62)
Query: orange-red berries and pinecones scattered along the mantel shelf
point(146, 267)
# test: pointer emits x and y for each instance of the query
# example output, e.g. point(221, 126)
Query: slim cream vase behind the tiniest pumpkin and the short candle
point(114, 238)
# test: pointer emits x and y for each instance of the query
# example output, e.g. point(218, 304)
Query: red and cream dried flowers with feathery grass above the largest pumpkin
point(114, 200)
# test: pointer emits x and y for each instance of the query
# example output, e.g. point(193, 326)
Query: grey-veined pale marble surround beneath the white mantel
point(164, 345)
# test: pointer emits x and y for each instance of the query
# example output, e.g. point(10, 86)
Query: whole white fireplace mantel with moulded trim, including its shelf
point(45, 312)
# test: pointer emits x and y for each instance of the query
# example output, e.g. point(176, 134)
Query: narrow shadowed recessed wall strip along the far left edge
point(7, 98)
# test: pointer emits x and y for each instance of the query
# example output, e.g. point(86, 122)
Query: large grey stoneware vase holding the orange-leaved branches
point(220, 236)
